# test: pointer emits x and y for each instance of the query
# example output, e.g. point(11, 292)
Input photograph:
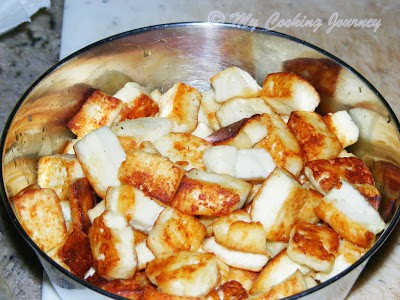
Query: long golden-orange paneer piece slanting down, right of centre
point(281, 144)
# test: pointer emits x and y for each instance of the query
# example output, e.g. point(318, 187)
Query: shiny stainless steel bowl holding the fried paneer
point(158, 57)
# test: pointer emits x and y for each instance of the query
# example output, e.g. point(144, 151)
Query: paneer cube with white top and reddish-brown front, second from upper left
point(136, 102)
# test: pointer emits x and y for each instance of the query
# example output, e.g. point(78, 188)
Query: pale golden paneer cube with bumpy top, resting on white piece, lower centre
point(238, 232)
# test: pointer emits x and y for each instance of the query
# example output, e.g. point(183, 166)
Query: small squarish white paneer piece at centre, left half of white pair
point(221, 159)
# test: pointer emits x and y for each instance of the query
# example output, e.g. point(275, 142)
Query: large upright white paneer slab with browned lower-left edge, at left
point(100, 155)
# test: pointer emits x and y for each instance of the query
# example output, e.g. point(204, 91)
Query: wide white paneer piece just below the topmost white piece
point(240, 108)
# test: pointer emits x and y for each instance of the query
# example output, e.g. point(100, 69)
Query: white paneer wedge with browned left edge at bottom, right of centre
point(276, 271)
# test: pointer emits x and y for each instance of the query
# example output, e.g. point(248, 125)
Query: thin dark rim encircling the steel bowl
point(83, 282)
